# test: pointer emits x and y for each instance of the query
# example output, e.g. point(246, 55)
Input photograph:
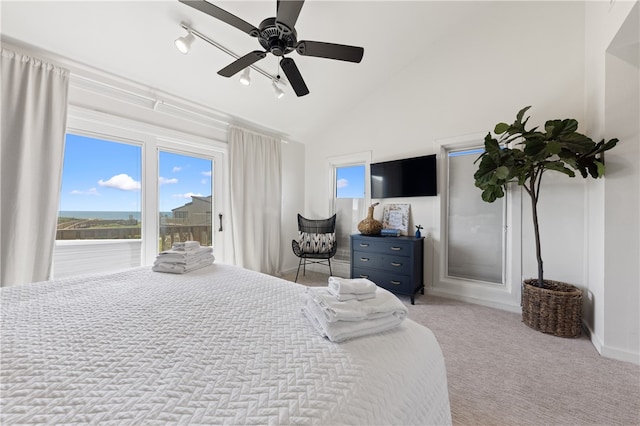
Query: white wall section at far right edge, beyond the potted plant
point(612, 106)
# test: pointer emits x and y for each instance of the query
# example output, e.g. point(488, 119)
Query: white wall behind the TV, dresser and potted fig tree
point(499, 61)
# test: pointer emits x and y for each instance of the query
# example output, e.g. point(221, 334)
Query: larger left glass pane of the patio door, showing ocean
point(100, 195)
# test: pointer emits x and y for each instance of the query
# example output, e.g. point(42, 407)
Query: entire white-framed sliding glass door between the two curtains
point(119, 160)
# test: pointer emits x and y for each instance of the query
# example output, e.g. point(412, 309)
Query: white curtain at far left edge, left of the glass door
point(34, 114)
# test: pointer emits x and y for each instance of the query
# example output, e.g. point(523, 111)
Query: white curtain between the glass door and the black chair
point(256, 198)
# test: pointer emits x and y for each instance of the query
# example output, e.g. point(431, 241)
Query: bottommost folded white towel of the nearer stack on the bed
point(340, 331)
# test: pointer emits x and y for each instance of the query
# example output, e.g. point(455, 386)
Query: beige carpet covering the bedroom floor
point(501, 372)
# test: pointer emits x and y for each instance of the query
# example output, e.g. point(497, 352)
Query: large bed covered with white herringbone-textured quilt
point(220, 345)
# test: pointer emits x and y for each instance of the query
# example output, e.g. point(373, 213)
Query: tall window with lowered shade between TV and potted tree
point(475, 229)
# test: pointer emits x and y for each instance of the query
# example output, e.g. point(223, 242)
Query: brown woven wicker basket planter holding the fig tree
point(555, 308)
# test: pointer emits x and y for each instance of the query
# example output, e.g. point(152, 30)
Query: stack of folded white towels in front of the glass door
point(183, 257)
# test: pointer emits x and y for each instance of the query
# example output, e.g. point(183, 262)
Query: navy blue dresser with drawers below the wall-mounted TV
point(393, 263)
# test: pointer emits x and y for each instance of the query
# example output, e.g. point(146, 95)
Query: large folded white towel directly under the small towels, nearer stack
point(384, 304)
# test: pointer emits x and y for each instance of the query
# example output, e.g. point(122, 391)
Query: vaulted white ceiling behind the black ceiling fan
point(135, 40)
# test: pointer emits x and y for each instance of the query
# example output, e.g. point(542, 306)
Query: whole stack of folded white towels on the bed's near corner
point(367, 309)
